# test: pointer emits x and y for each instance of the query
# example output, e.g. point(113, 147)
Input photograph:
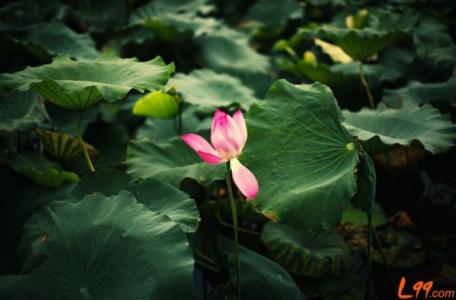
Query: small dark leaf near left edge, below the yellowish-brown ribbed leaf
point(40, 170)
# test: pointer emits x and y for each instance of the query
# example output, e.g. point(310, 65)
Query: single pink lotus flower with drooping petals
point(228, 138)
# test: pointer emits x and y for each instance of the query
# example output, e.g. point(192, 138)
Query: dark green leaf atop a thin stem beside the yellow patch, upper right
point(359, 44)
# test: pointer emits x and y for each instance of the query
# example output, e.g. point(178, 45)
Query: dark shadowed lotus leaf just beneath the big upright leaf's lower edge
point(305, 253)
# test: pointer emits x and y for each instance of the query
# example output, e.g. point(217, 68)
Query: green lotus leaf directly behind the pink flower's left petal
point(170, 161)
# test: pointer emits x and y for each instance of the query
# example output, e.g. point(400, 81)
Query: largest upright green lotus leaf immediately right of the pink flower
point(303, 157)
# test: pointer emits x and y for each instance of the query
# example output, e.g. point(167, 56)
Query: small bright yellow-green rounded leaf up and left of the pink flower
point(156, 104)
